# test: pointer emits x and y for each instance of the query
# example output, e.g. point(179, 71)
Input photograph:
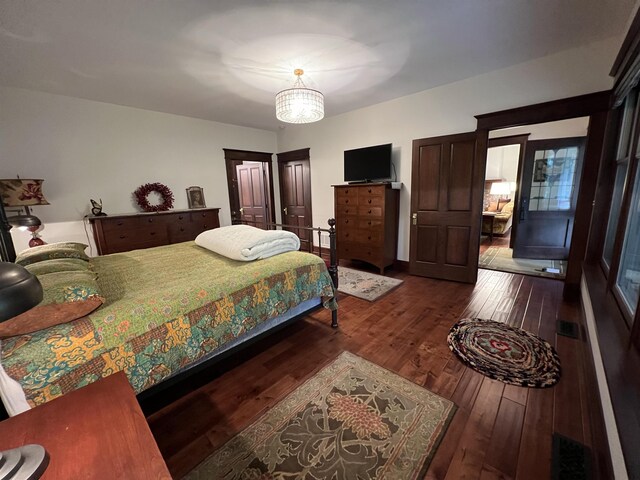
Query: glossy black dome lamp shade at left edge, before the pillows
point(20, 290)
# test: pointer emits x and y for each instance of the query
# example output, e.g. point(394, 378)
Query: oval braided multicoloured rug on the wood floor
point(505, 353)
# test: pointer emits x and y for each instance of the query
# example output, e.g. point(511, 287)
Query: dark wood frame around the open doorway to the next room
point(593, 105)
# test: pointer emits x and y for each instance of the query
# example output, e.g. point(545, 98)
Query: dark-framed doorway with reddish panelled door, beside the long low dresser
point(250, 186)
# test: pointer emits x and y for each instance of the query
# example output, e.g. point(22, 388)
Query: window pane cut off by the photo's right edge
point(629, 273)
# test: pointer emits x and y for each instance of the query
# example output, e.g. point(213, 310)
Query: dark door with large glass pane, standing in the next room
point(548, 196)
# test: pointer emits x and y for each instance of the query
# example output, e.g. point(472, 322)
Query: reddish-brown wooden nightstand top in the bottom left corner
point(96, 432)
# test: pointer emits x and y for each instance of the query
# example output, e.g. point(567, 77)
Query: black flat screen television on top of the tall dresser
point(366, 164)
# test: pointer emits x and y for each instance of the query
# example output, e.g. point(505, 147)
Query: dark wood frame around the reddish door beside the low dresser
point(237, 157)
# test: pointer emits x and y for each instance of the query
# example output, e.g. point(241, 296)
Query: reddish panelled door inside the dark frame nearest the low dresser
point(251, 193)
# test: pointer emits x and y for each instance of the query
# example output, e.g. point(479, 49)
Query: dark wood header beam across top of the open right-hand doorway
point(563, 109)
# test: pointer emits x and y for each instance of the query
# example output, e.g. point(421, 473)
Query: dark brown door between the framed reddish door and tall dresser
point(295, 193)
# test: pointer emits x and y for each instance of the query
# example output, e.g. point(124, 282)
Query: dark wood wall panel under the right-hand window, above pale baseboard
point(621, 364)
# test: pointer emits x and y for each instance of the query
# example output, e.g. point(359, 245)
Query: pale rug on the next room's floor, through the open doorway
point(497, 258)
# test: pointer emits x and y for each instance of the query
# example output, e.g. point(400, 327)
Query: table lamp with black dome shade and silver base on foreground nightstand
point(20, 291)
